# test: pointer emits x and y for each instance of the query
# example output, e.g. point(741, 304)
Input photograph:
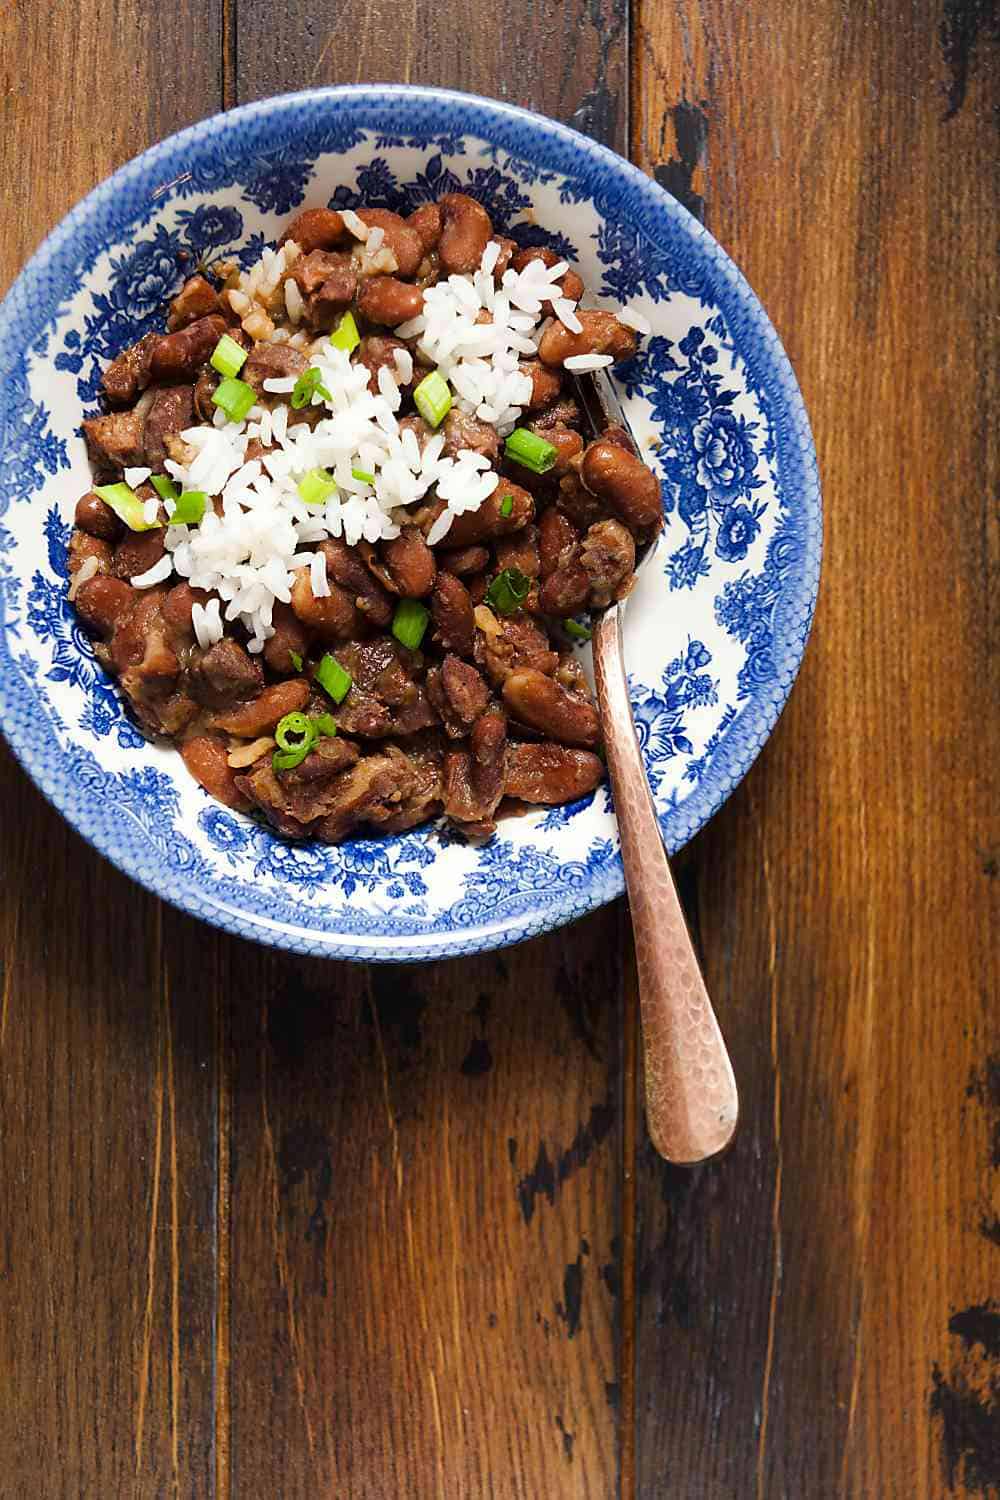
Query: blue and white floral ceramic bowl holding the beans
point(716, 628)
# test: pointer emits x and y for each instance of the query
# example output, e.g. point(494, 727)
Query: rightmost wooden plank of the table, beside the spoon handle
point(813, 1315)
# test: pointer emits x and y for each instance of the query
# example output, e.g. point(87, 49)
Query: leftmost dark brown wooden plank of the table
point(107, 1070)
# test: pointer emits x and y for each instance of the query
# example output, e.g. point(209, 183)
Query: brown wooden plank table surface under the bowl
point(274, 1228)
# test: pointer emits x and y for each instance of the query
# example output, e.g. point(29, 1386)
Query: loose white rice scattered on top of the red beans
point(250, 551)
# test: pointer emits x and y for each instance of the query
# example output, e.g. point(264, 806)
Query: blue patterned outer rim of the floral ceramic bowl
point(756, 719)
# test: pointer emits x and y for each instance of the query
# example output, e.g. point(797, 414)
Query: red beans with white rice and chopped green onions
point(346, 524)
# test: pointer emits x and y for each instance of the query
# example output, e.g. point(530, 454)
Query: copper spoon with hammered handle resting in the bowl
point(692, 1103)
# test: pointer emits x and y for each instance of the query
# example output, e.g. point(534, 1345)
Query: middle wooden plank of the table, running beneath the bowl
point(425, 1195)
